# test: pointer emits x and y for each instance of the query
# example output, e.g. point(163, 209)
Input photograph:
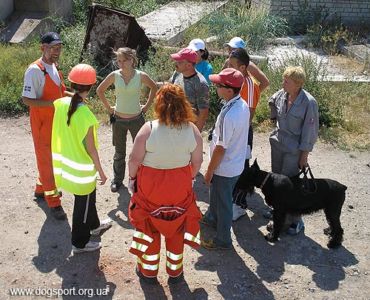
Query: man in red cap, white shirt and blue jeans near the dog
point(227, 156)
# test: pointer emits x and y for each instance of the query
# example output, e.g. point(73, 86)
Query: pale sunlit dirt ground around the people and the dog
point(36, 249)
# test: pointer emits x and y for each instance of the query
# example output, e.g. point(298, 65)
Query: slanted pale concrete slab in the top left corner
point(25, 25)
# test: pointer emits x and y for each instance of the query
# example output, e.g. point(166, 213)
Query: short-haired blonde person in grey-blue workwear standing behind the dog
point(296, 114)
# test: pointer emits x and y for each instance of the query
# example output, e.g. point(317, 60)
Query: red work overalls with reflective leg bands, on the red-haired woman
point(163, 205)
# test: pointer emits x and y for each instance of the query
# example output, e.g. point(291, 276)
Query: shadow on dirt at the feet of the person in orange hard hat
point(80, 274)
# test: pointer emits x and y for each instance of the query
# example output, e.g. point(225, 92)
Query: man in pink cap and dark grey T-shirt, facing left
point(194, 84)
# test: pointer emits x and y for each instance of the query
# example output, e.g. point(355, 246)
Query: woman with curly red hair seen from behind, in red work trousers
point(166, 156)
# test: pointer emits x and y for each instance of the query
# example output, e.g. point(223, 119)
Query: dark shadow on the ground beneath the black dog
point(327, 265)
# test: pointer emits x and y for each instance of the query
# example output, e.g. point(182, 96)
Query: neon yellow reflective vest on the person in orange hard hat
point(74, 170)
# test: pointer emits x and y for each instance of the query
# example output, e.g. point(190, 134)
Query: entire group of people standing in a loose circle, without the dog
point(168, 151)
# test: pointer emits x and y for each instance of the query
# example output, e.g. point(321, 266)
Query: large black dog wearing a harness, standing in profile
point(285, 195)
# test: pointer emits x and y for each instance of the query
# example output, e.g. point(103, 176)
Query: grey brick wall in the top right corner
point(350, 12)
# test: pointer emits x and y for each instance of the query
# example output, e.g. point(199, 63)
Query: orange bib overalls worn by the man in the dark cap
point(41, 119)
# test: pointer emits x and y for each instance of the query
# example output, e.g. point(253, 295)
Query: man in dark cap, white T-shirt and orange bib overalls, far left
point(43, 84)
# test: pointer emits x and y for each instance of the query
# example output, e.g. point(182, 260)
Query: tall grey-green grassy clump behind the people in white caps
point(254, 25)
